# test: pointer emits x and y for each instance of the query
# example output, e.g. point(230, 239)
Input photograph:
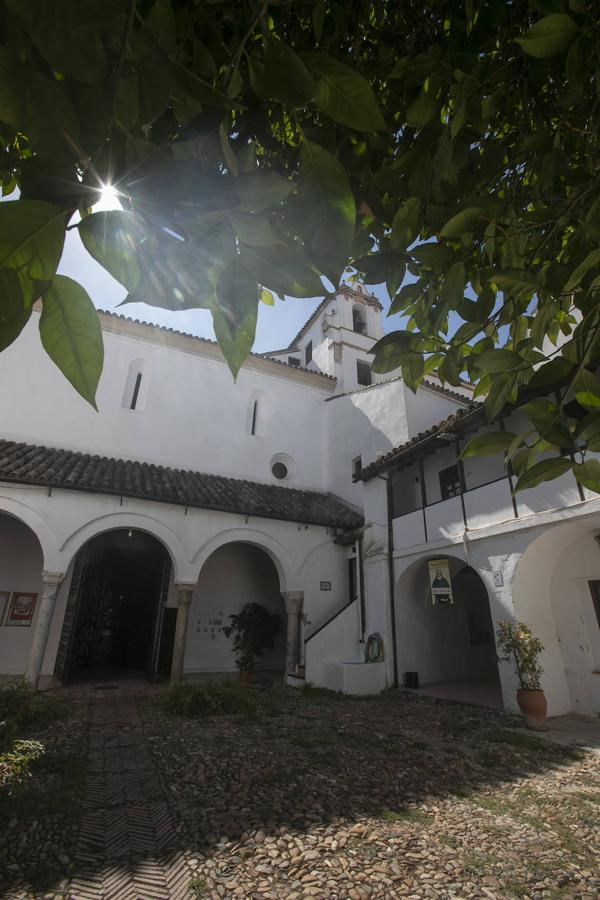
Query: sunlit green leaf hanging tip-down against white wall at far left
point(71, 335)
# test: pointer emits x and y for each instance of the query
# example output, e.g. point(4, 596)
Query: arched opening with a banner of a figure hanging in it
point(445, 632)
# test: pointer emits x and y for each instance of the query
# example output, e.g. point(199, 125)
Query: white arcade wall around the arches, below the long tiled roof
point(64, 521)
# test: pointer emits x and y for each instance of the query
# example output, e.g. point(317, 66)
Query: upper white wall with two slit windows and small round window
point(192, 414)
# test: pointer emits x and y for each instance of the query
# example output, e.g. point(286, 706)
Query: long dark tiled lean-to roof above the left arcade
point(55, 467)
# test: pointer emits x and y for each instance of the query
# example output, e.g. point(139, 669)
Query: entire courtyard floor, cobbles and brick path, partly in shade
point(315, 795)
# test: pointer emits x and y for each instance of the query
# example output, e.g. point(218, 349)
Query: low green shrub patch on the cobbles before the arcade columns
point(214, 698)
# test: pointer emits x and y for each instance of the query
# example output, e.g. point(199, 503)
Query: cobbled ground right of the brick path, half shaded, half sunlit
point(395, 796)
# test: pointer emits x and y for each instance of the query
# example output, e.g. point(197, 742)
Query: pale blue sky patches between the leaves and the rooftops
point(277, 324)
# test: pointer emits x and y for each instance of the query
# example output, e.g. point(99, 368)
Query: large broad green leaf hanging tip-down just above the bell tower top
point(328, 209)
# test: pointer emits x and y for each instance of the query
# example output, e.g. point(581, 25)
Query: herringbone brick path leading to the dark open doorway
point(127, 845)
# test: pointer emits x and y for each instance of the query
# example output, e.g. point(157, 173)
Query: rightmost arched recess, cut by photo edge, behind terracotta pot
point(556, 592)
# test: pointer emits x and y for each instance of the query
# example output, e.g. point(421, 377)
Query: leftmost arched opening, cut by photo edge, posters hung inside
point(21, 564)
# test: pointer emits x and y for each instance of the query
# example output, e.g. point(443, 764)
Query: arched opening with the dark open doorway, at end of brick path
point(117, 623)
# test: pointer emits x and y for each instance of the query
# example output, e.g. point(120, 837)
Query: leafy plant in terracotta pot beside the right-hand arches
point(516, 642)
